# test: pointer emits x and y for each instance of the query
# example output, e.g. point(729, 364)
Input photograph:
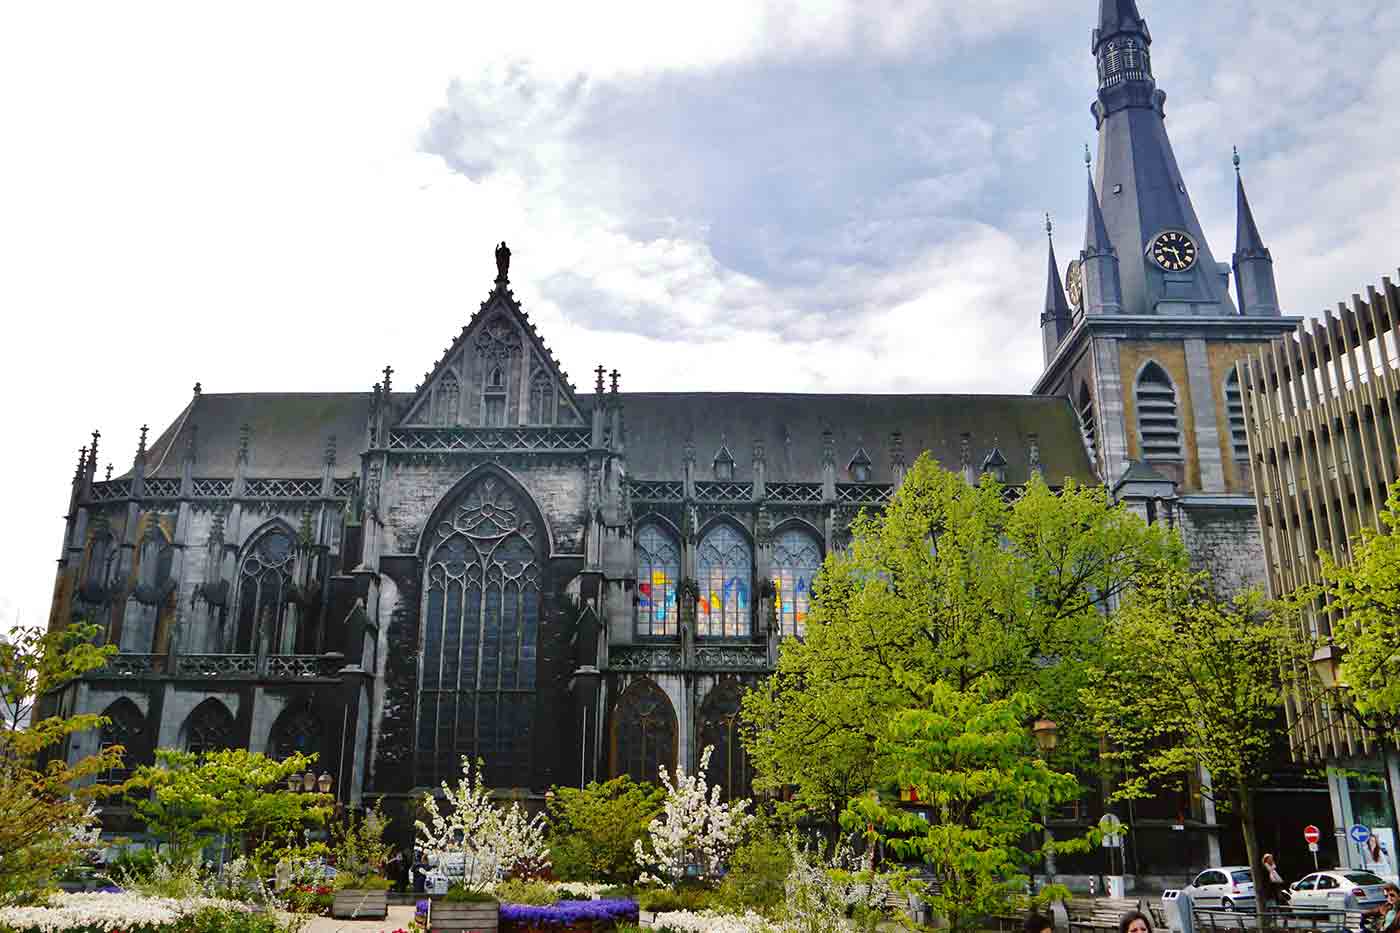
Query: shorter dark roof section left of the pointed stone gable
point(288, 434)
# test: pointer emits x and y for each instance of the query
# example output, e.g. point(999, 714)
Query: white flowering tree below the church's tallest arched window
point(488, 840)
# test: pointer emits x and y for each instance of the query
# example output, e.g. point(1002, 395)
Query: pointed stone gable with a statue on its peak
point(499, 373)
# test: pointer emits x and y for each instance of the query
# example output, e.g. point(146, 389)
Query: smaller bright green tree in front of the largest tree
point(972, 763)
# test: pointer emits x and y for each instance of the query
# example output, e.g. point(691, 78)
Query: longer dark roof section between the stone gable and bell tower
point(657, 427)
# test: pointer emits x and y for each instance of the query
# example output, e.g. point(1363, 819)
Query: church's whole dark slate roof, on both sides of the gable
point(289, 432)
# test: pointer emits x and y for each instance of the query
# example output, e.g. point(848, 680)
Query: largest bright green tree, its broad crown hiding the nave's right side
point(950, 583)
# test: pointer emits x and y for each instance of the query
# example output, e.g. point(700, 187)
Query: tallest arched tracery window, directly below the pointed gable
point(481, 634)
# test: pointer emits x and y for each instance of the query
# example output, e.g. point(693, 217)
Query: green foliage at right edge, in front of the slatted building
point(1366, 593)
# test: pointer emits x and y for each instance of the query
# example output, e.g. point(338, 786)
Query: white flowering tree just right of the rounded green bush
point(695, 829)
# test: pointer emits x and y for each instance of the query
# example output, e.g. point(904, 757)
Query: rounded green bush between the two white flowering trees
point(593, 830)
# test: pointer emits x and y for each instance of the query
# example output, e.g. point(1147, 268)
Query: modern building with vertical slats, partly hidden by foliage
point(1319, 413)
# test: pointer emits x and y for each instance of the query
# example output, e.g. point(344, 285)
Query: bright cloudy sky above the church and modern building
point(762, 195)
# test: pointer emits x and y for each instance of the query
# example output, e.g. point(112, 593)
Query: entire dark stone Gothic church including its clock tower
point(582, 585)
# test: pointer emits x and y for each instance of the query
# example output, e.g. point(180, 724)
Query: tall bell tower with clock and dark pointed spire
point(1154, 334)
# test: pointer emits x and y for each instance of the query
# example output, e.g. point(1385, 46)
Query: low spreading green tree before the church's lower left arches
point(236, 795)
